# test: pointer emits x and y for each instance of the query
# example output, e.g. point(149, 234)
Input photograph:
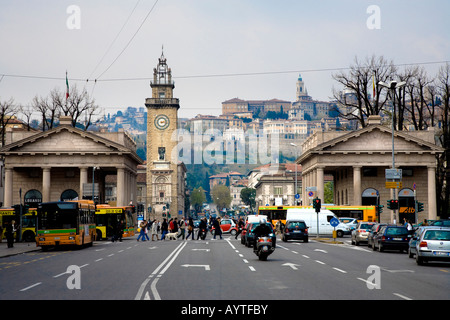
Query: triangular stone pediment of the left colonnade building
point(64, 140)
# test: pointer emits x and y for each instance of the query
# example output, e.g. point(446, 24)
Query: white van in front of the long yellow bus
point(310, 218)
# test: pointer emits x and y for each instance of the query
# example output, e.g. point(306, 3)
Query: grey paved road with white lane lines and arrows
point(219, 270)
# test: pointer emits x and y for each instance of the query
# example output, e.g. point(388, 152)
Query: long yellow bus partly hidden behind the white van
point(361, 213)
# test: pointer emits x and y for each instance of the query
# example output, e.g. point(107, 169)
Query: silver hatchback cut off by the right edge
point(433, 245)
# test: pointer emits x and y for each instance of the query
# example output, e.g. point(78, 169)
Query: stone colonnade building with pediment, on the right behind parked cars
point(358, 160)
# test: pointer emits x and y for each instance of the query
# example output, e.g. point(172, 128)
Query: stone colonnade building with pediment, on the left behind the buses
point(61, 164)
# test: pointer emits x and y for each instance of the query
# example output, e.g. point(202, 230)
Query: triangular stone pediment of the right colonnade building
point(377, 138)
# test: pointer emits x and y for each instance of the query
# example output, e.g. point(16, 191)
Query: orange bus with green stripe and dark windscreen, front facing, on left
point(62, 223)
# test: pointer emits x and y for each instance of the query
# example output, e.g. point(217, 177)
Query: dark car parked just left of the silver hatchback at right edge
point(391, 238)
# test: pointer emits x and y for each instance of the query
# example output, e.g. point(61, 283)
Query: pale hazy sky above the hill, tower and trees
point(217, 50)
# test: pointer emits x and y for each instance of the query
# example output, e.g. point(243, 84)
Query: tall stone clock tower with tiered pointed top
point(163, 188)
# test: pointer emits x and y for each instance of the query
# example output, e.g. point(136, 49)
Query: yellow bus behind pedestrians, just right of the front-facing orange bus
point(107, 218)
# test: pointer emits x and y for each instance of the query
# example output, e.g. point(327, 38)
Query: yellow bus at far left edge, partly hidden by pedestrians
point(28, 222)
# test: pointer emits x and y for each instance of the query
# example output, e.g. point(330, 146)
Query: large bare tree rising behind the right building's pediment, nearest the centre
point(359, 82)
